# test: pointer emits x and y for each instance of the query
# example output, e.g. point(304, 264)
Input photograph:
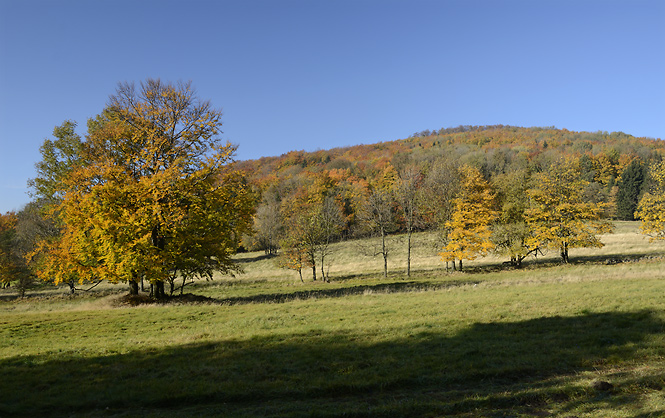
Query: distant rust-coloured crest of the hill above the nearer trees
point(495, 148)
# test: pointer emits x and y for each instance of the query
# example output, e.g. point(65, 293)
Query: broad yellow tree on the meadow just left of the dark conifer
point(558, 216)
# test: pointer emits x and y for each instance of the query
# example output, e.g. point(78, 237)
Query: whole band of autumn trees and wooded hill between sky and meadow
point(151, 195)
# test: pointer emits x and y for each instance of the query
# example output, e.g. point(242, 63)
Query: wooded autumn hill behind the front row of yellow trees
point(507, 157)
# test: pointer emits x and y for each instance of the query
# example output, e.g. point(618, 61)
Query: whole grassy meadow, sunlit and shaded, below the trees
point(488, 342)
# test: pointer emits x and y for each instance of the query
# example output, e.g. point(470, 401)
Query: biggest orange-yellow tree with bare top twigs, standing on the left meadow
point(156, 200)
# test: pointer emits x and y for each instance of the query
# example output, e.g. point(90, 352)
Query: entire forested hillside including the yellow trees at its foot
point(541, 187)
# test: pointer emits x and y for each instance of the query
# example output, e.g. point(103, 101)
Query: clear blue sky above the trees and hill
point(306, 74)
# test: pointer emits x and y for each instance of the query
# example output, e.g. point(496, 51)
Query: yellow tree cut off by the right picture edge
point(651, 208)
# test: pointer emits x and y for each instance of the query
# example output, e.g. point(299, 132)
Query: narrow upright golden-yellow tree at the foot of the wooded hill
point(473, 214)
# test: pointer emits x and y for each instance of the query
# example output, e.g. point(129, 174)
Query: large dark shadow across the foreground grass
point(514, 367)
